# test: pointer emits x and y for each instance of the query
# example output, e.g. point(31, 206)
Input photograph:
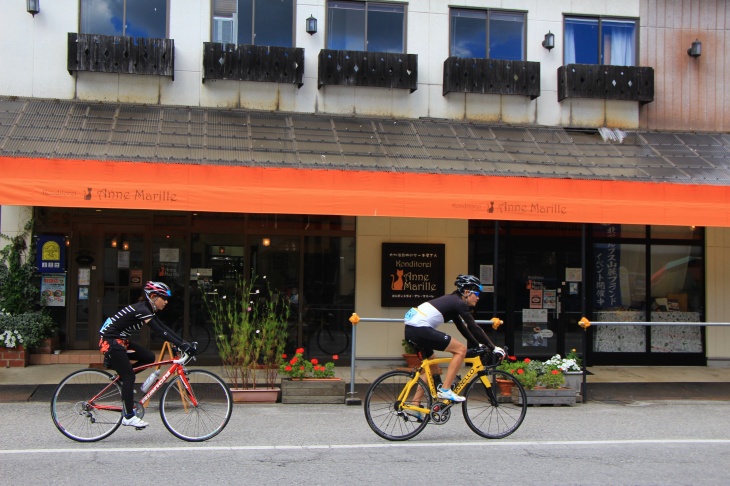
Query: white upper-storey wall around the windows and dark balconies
point(38, 68)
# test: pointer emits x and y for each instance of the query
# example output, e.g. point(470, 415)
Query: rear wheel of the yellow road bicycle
point(383, 411)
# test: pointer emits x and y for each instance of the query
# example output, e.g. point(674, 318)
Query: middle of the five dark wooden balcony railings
point(374, 69)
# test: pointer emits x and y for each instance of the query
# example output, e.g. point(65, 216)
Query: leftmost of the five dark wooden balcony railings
point(122, 55)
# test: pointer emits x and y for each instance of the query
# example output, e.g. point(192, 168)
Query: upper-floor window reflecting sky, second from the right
point(493, 34)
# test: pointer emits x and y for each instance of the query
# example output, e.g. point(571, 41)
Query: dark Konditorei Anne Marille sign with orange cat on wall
point(412, 273)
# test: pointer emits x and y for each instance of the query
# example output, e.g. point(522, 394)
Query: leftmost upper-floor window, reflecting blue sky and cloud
point(132, 18)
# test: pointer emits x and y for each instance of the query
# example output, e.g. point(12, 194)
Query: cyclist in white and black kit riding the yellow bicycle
point(422, 321)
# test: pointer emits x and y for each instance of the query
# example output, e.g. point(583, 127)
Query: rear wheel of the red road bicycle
point(87, 406)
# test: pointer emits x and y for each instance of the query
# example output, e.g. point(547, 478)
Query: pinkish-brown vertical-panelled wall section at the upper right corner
point(690, 94)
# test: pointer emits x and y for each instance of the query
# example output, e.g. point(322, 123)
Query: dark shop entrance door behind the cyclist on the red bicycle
point(105, 274)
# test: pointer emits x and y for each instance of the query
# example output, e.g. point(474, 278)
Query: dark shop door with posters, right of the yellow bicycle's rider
point(545, 300)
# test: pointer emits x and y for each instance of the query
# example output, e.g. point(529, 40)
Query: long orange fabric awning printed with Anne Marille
point(189, 187)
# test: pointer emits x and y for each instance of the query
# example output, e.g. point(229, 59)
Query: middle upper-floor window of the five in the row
point(366, 26)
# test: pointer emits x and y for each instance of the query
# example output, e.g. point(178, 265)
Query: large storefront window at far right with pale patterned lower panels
point(656, 281)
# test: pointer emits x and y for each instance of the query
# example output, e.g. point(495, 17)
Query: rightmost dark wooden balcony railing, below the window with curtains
point(631, 83)
